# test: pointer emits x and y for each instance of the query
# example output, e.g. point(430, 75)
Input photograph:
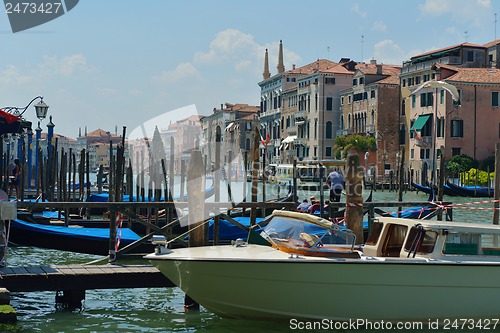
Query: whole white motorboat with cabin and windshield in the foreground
point(407, 270)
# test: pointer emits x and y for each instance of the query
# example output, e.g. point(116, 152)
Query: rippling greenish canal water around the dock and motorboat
point(156, 309)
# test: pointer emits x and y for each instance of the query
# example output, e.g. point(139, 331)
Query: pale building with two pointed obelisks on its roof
point(299, 109)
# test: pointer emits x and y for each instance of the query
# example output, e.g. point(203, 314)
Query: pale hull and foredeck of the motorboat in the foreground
point(262, 283)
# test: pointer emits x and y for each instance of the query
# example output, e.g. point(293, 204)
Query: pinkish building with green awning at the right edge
point(437, 126)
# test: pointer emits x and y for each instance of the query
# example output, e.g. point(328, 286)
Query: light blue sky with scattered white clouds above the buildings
point(113, 63)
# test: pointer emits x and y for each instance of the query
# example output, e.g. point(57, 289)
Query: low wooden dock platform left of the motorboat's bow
point(81, 277)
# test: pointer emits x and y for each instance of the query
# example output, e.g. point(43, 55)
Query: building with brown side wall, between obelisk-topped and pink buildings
point(370, 107)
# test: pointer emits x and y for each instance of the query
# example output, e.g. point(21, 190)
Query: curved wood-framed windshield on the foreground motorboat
point(295, 232)
